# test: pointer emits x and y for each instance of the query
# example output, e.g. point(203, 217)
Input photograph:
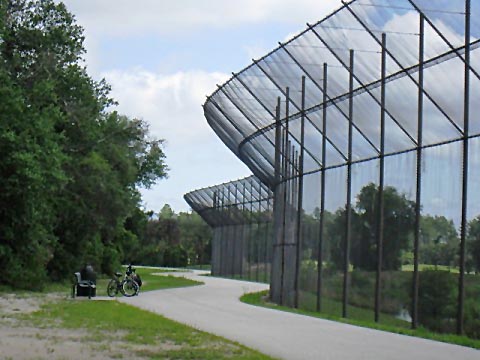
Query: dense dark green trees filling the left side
point(70, 169)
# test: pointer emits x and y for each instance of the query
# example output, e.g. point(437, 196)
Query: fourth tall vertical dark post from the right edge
point(348, 231)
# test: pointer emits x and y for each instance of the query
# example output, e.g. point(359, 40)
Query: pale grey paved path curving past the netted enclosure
point(215, 308)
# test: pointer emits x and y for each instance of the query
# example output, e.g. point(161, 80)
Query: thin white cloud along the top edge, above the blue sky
point(124, 17)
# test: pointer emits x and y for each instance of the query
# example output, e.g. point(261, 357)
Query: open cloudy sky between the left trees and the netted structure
point(162, 58)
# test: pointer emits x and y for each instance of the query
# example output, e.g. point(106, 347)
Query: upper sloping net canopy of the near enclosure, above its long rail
point(243, 110)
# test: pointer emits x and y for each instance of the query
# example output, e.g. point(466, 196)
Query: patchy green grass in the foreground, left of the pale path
point(124, 331)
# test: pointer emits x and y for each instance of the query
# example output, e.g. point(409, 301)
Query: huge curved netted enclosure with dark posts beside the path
point(362, 134)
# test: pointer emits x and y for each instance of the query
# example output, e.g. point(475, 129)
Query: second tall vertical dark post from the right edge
point(418, 199)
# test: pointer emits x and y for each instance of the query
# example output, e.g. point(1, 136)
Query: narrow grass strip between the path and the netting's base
point(260, 299)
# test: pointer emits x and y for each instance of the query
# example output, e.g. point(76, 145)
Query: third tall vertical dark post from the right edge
point(381, 181)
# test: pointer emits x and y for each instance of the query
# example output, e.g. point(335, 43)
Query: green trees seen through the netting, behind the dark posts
point(439, 242)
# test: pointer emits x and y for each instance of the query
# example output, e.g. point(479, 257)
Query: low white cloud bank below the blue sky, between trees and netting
point(171, 104)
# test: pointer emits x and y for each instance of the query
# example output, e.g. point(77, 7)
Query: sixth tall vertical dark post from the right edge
point(300, 196)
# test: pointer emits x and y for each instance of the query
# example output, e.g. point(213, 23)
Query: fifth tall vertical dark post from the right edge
point(322, 190)
